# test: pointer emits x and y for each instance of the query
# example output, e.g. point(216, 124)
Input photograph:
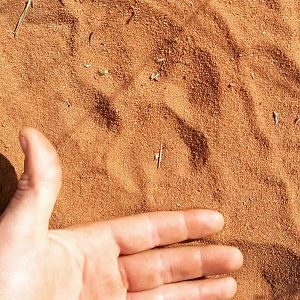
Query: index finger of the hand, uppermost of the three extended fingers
point(146, 231)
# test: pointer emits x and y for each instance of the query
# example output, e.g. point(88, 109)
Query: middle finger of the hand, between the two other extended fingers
point(154, 268)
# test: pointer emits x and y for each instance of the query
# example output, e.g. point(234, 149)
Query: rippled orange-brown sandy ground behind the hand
point(223, 103)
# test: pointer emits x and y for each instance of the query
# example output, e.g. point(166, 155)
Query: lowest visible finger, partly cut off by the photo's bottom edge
point(208, 289)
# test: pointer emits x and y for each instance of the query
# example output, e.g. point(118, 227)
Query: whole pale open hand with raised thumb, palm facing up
point(111, 260)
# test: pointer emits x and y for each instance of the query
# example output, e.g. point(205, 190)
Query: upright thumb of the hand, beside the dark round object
point(38, 187)
